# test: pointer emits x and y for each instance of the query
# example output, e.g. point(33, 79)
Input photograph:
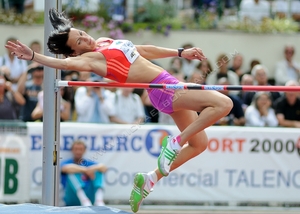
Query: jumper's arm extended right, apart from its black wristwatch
point(155, 52)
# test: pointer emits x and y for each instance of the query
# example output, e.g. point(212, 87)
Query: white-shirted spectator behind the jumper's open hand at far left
point(15, 66)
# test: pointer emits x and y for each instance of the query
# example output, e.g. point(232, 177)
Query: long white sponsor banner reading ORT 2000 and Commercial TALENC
point(240, 163)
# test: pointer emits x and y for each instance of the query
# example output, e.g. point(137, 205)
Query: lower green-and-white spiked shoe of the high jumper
point(138, 192)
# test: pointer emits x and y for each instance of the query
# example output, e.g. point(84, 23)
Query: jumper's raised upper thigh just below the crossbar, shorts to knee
point(196, 100)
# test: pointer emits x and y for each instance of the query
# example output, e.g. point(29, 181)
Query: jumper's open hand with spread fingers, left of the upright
point(20, 50)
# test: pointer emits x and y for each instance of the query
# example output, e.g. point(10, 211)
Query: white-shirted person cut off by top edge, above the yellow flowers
point(255, 10)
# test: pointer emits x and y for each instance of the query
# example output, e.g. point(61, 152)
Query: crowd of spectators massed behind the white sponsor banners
point(21, 92)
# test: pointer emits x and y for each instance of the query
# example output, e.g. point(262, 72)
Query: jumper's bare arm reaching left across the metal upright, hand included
point(81, 63)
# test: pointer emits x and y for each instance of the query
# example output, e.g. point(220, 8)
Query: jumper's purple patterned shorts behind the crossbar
point(162, 99)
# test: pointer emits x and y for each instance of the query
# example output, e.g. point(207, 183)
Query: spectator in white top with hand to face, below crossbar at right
point(260, 112)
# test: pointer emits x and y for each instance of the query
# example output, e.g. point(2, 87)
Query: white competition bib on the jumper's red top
point(127, 48)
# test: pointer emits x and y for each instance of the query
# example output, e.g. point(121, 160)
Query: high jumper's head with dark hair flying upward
point(65, 39)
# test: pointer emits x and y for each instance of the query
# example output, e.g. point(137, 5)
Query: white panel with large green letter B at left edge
point(14, 173)
